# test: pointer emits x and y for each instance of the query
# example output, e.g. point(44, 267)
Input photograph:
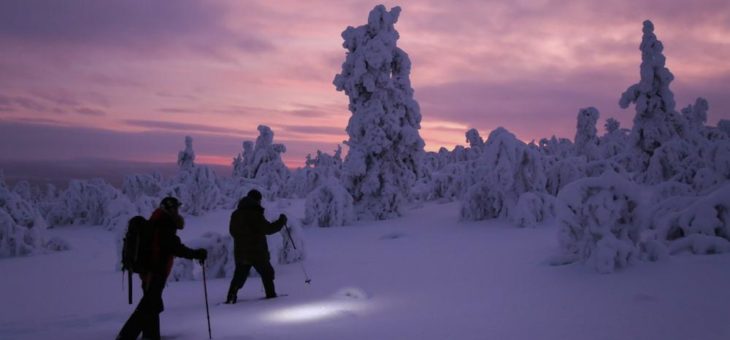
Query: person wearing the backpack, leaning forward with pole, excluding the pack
point(165, 245)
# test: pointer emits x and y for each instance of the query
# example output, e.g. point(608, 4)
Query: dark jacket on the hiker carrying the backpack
point(166, 244)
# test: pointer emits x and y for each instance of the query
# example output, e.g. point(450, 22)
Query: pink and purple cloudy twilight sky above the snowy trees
point(128, 80)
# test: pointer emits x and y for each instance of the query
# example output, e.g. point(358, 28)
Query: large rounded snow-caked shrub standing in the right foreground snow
point(600, 222)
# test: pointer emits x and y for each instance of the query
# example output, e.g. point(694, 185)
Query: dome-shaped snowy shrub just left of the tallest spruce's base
point(329, 205)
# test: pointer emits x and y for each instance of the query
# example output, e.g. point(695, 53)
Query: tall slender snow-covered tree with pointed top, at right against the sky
point(656, 120)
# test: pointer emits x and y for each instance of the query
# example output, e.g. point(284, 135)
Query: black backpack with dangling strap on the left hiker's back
point(136, 248)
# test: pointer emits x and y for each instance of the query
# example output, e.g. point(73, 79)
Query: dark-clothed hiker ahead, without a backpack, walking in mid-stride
point(249, 228)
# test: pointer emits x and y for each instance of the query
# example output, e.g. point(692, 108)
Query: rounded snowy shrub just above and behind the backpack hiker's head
point(196, 188)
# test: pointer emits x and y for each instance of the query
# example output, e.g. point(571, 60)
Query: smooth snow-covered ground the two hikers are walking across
point(423, 276)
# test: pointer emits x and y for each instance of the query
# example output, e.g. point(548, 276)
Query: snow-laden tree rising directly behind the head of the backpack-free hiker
point(263, 163)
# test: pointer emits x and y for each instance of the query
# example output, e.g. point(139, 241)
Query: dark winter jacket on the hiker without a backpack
point(249, 228)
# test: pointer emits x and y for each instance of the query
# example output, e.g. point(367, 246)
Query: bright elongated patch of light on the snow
point(311, 312)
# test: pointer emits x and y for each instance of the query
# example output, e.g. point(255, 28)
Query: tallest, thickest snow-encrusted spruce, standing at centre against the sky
point(384, 159)
